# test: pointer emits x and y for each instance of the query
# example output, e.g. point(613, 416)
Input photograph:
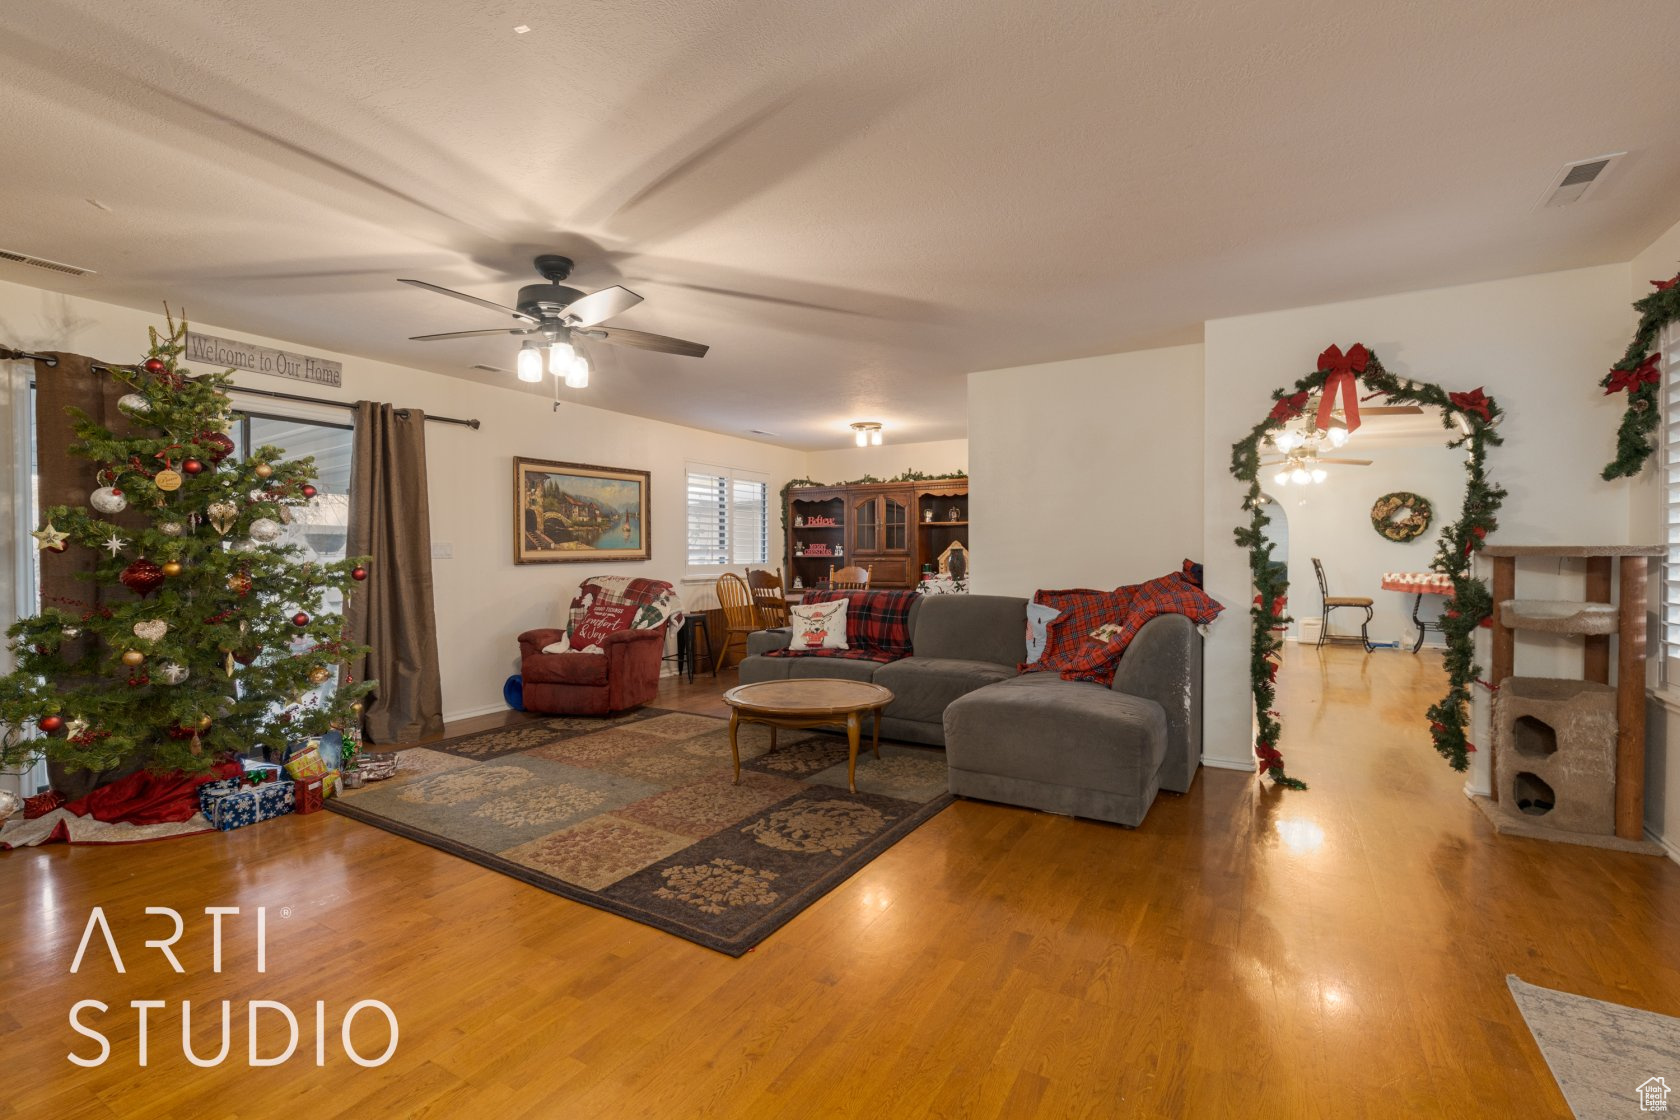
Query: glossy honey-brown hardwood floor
point(1338, 953)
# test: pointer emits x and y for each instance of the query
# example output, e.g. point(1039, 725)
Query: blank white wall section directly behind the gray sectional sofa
point(1086, 473)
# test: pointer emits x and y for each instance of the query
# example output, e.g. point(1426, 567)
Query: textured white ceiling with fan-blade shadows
point(853, 204)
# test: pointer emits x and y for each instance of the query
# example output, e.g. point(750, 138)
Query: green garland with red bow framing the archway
point(1471, 417)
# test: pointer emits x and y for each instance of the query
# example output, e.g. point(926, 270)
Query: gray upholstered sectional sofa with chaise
point(1039, 741)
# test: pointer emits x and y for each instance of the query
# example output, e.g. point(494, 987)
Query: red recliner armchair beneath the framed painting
point(622, 678)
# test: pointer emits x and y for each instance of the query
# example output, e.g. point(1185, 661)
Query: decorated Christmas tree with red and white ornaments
point(201, 634)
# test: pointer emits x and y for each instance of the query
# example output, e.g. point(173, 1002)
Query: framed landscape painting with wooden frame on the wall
point(575, 513)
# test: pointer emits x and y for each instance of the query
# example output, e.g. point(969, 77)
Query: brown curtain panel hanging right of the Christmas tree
point(392, 612)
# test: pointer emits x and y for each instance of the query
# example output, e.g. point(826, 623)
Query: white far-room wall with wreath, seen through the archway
point(1333, 521)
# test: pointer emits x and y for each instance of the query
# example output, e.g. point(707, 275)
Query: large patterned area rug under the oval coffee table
point(641, 815)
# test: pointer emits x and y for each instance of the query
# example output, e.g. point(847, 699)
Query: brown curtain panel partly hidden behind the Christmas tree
point(68, 479)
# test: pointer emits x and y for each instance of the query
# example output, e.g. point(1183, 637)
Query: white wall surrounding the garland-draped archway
point(1536, 343)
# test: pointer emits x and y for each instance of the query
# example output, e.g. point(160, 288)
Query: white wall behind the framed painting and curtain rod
point(483, 599)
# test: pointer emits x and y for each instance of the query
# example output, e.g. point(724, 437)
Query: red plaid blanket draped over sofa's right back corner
point(1096, 627)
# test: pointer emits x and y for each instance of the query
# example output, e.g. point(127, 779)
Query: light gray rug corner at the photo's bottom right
point(1609, 1060)
